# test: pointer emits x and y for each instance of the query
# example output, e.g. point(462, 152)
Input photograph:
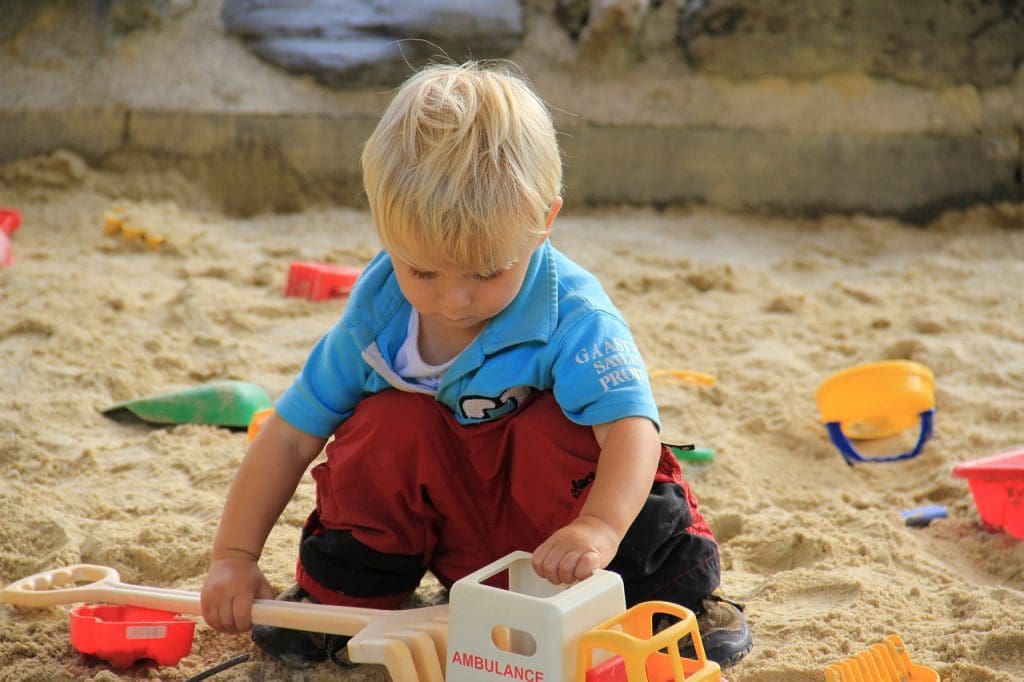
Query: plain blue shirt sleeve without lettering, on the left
point(329, 387)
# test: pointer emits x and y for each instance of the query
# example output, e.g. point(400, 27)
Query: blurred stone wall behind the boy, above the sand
point(778, 106)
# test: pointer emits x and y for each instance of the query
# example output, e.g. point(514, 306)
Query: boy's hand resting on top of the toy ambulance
point(576, 551)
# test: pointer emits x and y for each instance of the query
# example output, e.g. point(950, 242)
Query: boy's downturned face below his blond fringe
point(458, 301)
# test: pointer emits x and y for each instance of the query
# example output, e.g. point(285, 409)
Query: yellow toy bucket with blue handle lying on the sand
point(878, 401)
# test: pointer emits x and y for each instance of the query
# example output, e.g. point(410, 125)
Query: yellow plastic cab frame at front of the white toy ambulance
point(639, 655)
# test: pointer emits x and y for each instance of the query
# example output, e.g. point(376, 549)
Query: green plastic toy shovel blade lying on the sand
point(221, 403)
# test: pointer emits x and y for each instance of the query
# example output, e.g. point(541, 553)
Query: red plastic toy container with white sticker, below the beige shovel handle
point(122, 635)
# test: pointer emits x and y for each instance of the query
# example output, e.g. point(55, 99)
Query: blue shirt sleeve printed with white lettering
point(600, 375)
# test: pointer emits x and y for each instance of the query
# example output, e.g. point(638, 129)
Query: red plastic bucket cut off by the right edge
point(998, 486)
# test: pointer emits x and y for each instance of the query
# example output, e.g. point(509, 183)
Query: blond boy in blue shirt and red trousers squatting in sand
point(484, 394)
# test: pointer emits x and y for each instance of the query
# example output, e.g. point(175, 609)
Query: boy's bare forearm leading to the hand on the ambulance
point(630, 453)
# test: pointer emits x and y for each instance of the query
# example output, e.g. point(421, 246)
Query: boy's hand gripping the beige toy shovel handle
point(232, 584)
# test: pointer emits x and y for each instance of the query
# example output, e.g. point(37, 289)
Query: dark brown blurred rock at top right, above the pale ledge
point(920, 42)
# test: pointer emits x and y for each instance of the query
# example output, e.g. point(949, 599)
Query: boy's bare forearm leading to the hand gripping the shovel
point(264, 485)
